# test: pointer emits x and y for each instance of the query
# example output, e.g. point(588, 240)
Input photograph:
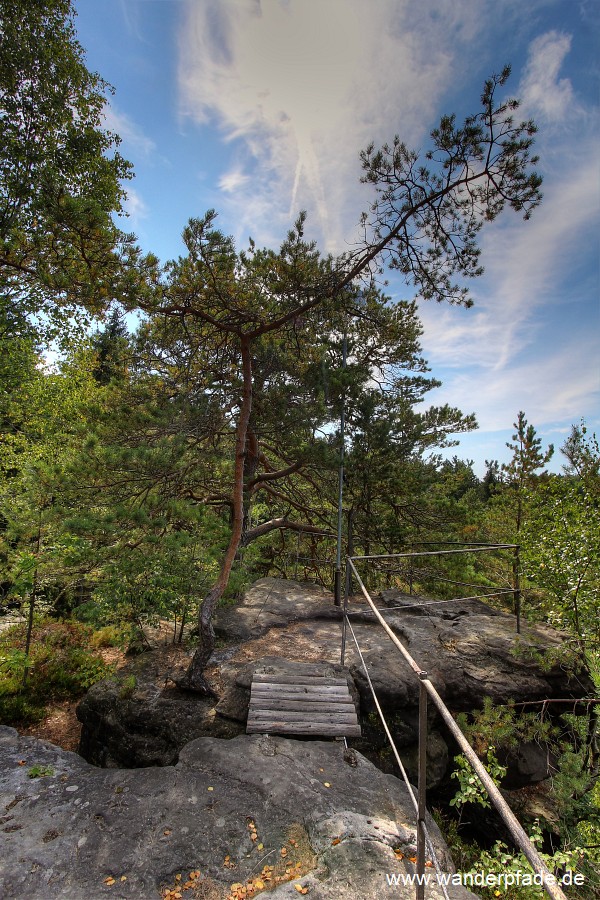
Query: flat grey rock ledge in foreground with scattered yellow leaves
point(68, 831)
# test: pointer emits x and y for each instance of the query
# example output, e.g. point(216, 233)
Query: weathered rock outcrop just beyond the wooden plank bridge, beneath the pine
point(470, 651)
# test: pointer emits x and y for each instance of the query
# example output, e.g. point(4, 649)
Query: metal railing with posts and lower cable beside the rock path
point(427, 691)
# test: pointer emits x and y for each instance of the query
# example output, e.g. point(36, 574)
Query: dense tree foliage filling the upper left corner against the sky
point(60, 174)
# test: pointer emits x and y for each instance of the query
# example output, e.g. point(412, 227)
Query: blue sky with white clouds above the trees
point(259, 108)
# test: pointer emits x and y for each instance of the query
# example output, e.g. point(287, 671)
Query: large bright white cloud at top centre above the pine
point(304, 86)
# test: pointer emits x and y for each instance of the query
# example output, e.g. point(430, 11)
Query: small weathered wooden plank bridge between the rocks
point(301, 704)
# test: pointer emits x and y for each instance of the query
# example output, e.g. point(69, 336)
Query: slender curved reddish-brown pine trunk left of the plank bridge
point(194, 679)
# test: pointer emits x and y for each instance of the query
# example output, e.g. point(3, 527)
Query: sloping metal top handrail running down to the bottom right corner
point(514, 826)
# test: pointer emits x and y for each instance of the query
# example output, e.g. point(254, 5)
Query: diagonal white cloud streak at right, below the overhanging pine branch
point(525, 263)
